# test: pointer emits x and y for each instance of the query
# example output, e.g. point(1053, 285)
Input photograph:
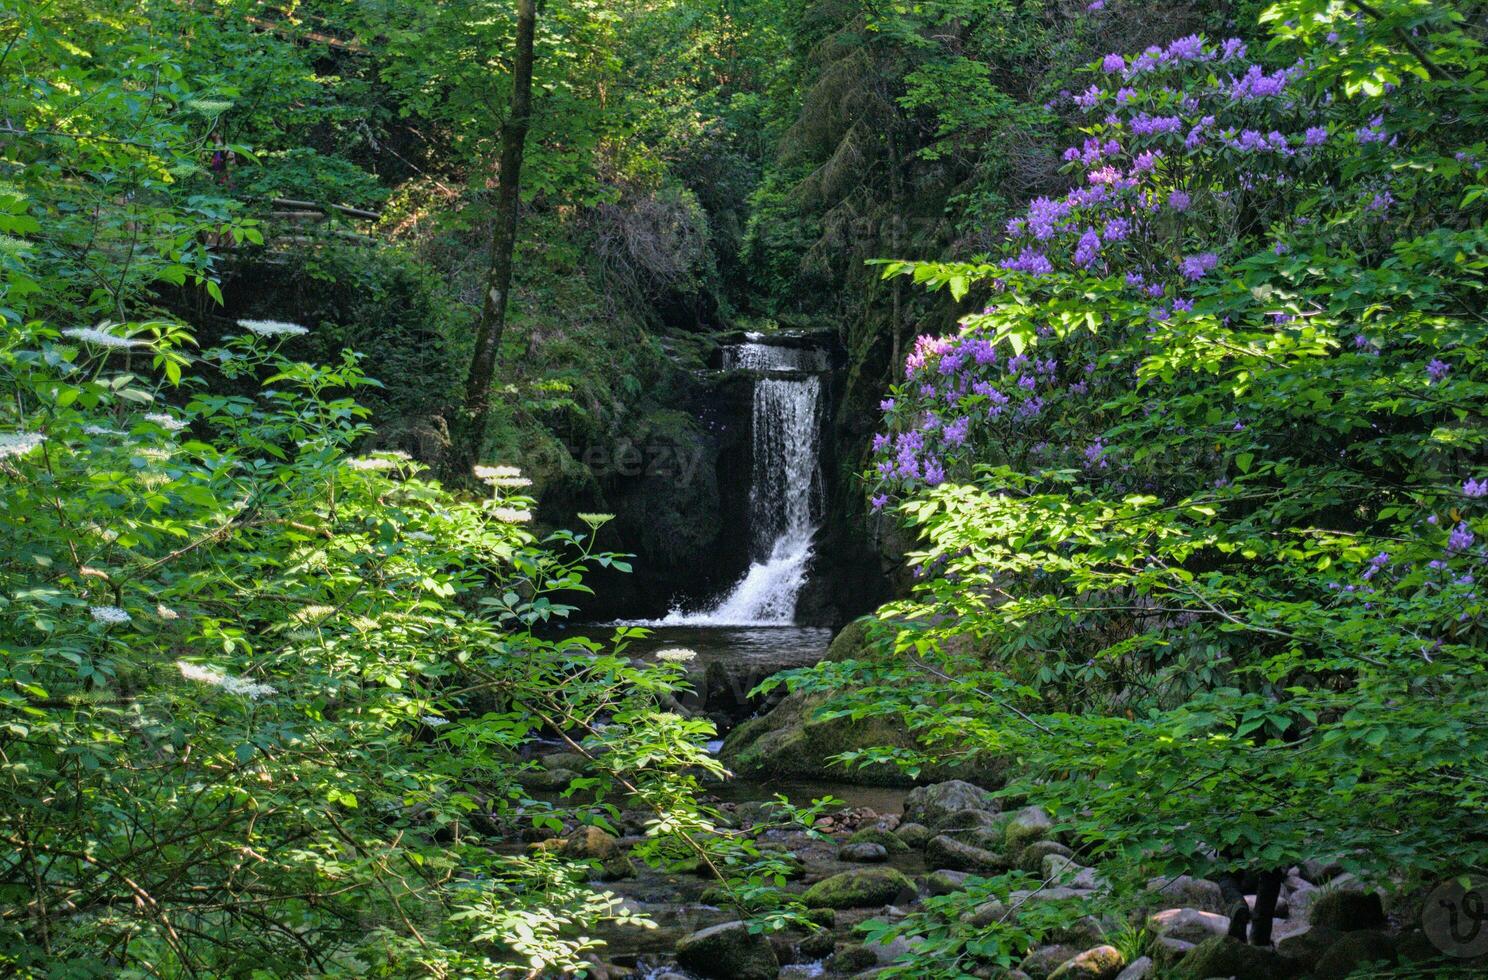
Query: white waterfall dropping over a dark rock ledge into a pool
point(785, 489)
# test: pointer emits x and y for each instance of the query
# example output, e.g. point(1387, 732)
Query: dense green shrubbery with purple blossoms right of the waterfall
point(1202, 489)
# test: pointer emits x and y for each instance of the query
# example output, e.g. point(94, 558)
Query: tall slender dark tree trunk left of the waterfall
point(471, 428)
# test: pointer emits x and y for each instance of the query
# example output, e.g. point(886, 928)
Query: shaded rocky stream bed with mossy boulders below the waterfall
point(888, 850)
